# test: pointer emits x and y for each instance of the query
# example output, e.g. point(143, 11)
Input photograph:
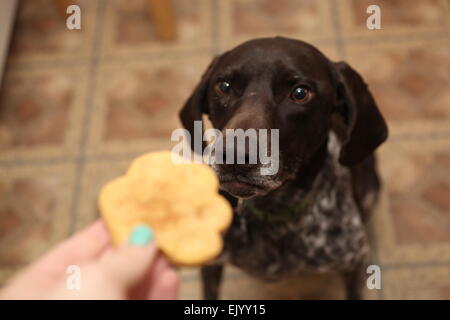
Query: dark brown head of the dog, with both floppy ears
point(285, 84)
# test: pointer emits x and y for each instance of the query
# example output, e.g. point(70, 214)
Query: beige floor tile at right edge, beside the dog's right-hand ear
point(410, 88)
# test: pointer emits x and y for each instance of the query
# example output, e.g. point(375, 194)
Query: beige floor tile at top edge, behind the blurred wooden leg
point(129, 31)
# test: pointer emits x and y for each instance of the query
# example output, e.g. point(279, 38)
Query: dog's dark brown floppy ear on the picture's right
point(365, 126)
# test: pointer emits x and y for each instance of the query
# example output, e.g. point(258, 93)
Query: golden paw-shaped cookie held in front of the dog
point(180, 202)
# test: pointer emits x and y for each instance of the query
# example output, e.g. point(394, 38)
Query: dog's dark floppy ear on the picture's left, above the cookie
point(196, 104)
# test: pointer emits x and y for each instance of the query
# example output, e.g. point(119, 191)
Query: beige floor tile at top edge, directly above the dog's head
point(245, 19)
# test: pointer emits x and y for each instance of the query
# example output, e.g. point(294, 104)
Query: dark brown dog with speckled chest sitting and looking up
point(312, 214)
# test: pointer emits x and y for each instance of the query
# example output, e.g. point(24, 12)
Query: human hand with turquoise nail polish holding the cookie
point(127, 272)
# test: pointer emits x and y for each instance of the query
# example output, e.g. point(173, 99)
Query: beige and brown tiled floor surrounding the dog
point(77, 106)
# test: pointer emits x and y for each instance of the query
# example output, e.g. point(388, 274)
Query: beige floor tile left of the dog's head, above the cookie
point(137, 104)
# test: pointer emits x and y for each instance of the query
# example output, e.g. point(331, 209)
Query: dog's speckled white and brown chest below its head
point(328, 235)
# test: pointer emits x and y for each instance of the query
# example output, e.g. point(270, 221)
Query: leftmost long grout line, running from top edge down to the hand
point(91, 83)
